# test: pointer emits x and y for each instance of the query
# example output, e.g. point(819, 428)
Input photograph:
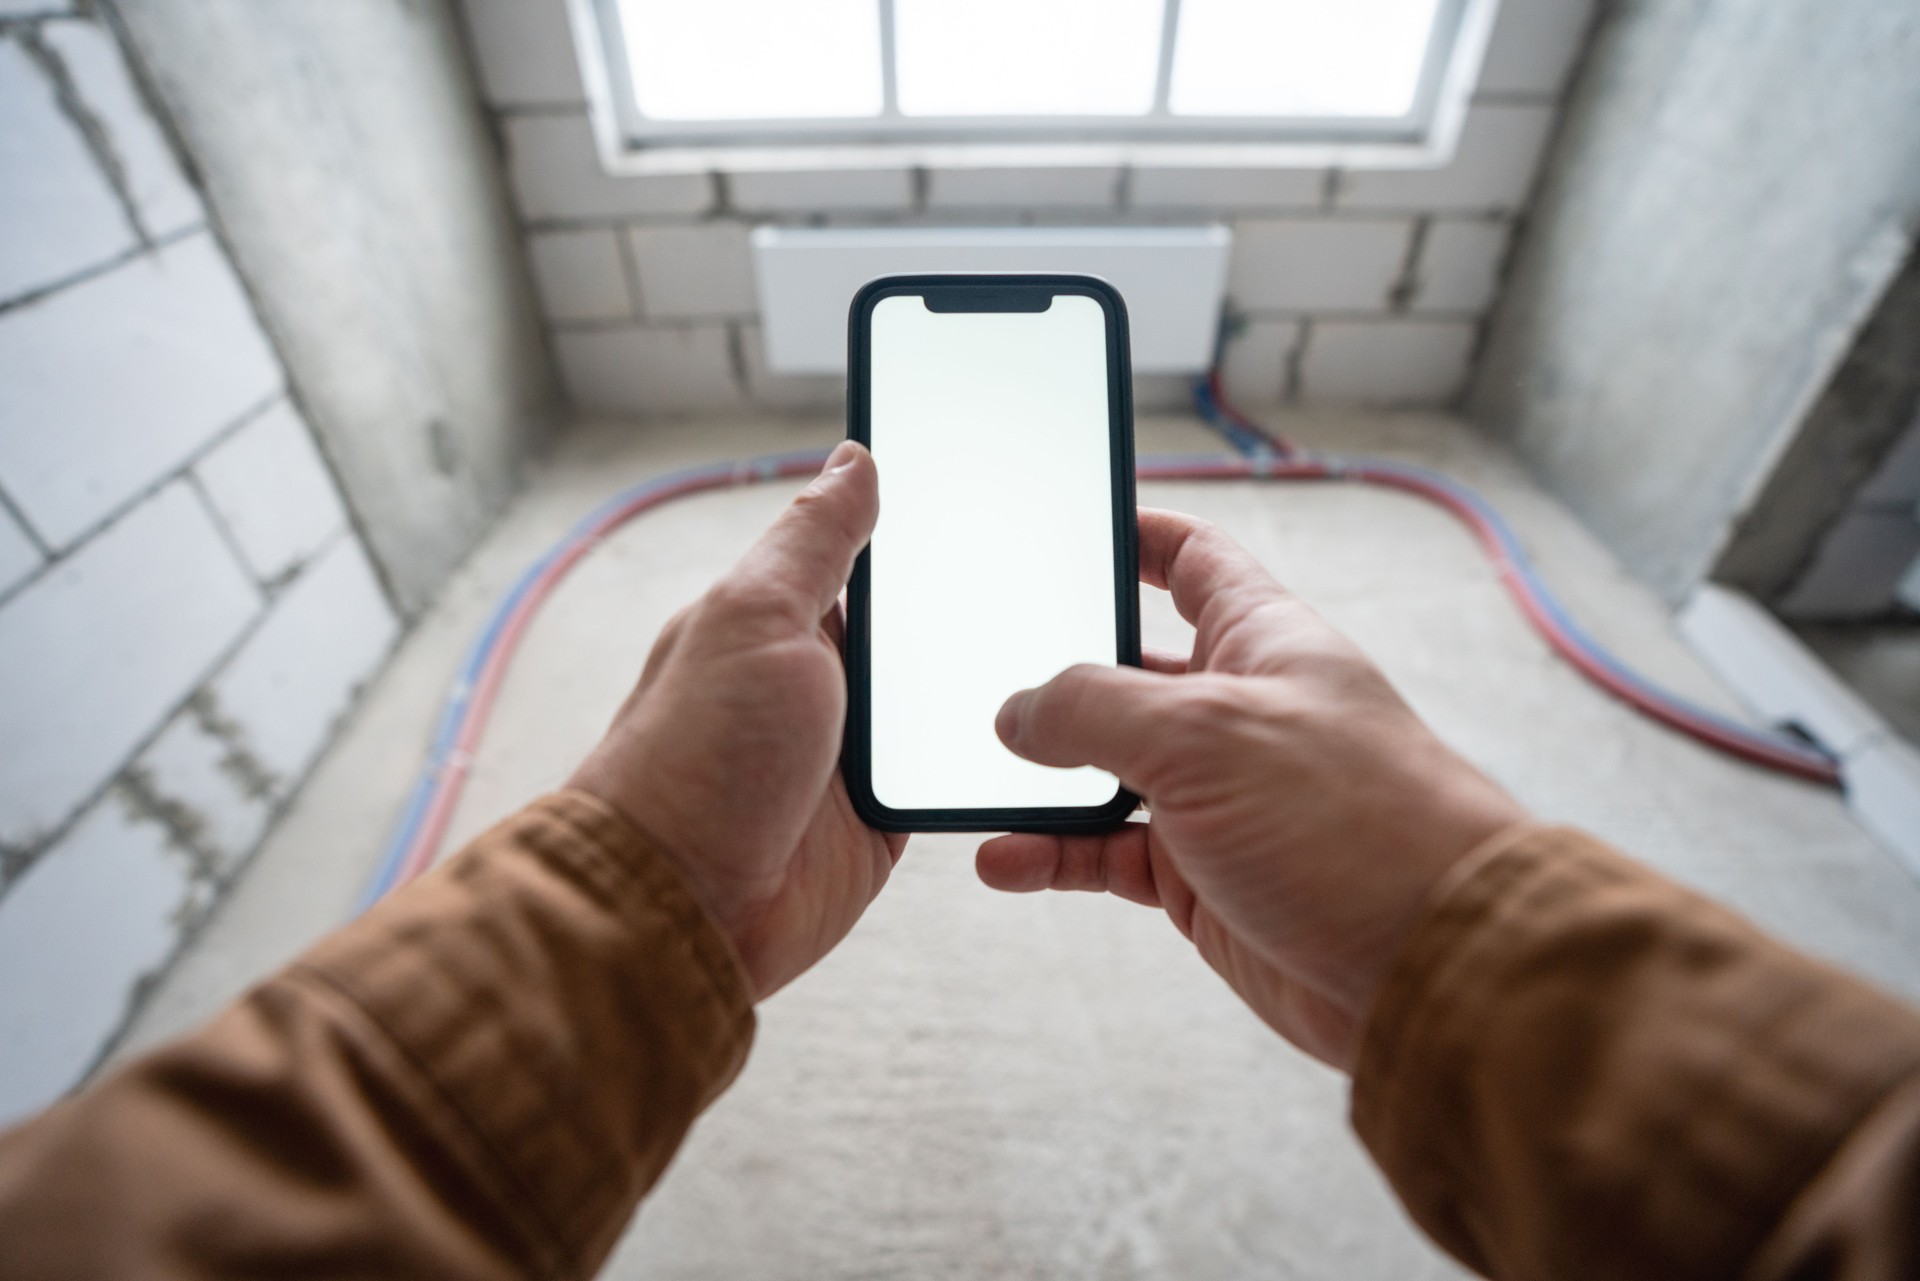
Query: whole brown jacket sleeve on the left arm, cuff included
point(475, 1080)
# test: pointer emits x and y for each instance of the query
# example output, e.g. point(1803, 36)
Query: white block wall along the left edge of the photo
point(185, 610)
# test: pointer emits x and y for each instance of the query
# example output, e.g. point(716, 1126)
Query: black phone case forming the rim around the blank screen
point(992, 293)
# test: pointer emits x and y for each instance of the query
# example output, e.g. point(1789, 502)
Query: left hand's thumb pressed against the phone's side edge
point(805, 558)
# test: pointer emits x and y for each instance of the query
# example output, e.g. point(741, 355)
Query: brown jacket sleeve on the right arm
point(1577, 1069)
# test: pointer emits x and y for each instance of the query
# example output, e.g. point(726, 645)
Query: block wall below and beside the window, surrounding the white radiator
point(1356, 285)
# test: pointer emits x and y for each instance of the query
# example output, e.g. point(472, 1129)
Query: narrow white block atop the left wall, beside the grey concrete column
point(153, 176)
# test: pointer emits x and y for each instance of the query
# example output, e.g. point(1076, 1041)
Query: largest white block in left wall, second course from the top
point(114, 383)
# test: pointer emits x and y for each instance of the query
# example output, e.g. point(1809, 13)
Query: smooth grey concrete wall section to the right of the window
point(1737, 189)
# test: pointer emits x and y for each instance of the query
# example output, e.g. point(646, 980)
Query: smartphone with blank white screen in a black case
point(999, 410)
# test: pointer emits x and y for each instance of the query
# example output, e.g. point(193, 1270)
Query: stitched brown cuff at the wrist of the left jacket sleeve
point(565, 998)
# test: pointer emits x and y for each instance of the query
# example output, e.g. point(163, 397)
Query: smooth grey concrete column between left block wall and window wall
point(348, 160)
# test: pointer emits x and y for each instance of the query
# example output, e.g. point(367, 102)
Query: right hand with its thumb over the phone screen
point(1301, 813)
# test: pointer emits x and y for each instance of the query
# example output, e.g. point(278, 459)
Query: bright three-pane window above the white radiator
point(923, 76)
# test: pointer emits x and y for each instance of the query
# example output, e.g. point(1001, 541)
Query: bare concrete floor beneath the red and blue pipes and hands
point(1055, 1086)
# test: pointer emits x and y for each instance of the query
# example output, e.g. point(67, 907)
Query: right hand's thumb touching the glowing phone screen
point(1109, 717)
